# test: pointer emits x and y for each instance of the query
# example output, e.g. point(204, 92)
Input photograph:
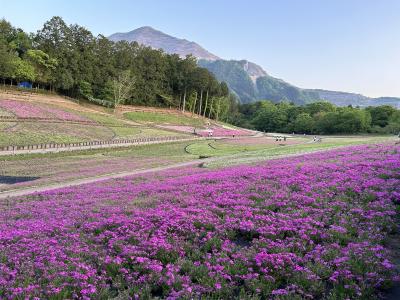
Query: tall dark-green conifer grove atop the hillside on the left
point(70, 60)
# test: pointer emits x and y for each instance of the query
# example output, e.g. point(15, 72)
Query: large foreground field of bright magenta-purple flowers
point(308, 227)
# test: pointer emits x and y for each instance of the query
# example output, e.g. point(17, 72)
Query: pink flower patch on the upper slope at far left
point(28, 110)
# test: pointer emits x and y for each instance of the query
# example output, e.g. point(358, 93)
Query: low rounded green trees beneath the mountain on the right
point(317, 118)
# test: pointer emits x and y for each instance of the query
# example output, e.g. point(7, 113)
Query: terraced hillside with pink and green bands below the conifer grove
point(29, 118)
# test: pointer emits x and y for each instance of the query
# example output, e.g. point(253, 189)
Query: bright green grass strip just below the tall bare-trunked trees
point(158, 118)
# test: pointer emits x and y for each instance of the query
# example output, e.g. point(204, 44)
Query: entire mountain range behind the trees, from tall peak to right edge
point(246, 79)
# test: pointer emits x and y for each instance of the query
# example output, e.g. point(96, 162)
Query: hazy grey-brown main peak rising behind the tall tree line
point(158, 40)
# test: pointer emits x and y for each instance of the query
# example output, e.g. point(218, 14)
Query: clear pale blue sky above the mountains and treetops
point(347, 45)
